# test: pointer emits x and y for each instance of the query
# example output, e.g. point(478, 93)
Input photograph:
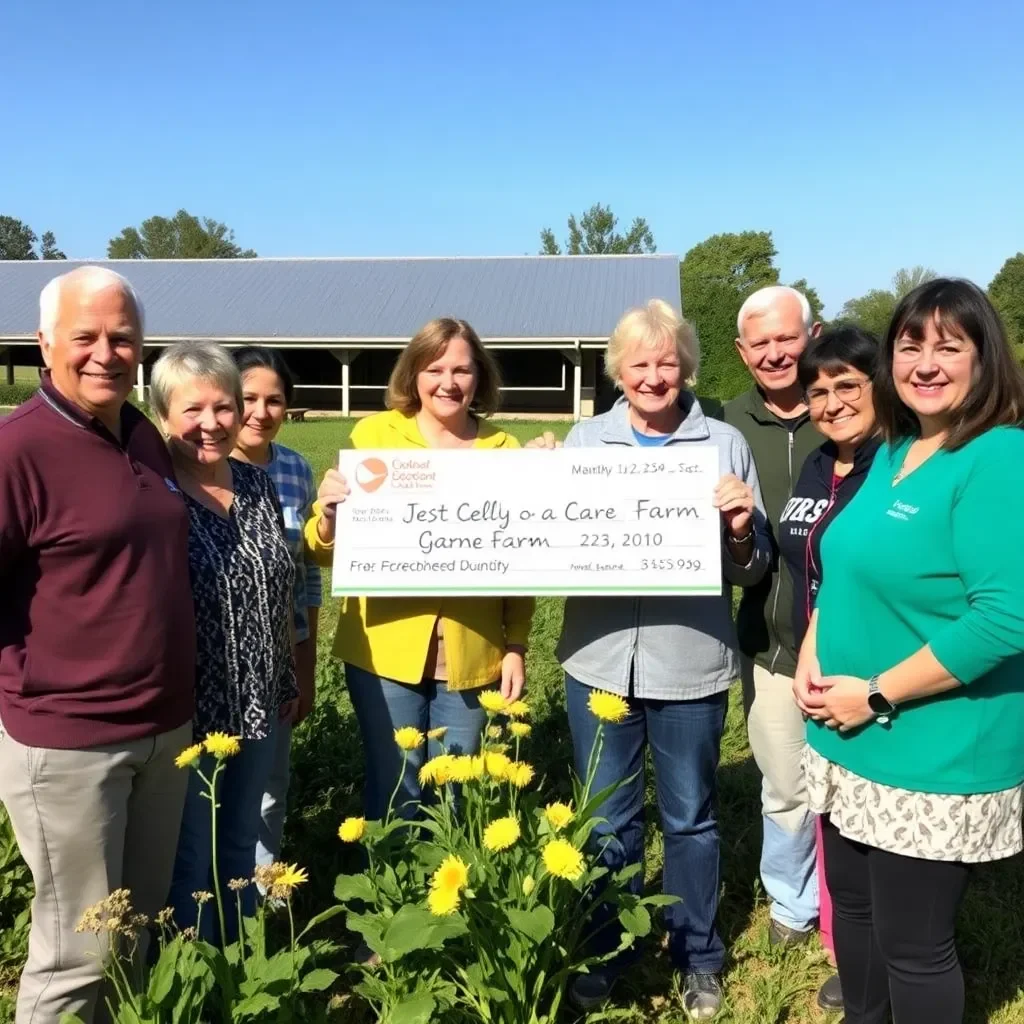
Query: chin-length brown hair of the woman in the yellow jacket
point(429, 345)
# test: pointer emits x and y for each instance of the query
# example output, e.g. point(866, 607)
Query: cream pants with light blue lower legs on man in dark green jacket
point(778, 735)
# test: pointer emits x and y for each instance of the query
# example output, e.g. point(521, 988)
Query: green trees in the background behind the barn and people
point(716, 276)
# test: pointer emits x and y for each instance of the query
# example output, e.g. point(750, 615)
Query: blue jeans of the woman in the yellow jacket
point(383, 706)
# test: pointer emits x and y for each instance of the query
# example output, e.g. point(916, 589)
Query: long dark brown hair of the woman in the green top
point(960, 310)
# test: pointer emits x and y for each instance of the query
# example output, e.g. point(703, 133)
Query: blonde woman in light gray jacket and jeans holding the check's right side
point(672, 659)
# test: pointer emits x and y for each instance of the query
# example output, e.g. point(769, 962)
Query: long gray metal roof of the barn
point(349, 300)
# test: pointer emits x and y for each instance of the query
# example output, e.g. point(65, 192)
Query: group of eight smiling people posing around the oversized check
point(159, 589)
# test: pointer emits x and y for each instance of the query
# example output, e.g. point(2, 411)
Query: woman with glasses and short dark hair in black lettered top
point(836, 374)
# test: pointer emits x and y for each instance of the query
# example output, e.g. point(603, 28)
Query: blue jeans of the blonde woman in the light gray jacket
point(685, 739)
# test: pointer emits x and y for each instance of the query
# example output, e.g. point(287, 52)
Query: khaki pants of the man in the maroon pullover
point(89, 822)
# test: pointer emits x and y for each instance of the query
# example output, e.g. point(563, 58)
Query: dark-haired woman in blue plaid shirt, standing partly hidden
point(268, 388)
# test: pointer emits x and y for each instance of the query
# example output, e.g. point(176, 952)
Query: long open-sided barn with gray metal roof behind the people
point(340, 323)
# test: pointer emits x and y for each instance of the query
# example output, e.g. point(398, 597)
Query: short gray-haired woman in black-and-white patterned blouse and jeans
point(242, 574)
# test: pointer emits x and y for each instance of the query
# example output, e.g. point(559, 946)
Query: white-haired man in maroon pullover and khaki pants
point(97, 639)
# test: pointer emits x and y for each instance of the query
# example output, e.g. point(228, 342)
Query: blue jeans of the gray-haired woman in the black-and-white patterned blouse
point(240, 793)
